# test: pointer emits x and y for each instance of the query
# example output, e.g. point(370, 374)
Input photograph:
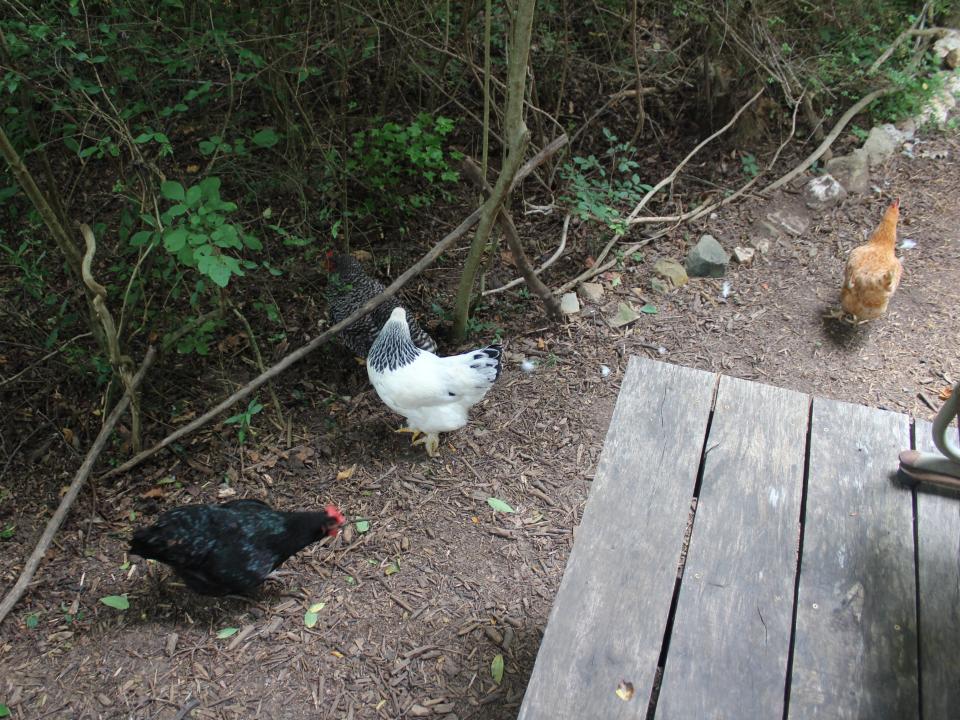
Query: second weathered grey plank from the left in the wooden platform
point(735, 611)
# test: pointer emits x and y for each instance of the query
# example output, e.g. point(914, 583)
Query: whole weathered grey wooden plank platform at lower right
point(813, 583)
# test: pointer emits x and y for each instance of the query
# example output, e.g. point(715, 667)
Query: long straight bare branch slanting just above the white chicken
point(366, 309)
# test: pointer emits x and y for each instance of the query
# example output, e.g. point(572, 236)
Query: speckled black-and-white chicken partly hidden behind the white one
point(354, 288)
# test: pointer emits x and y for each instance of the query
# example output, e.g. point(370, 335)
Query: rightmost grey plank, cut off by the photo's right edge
point(938, 550)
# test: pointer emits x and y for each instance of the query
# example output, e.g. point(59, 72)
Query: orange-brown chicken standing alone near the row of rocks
point(873, 270)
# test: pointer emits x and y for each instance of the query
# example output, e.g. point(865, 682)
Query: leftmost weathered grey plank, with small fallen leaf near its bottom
point(608, 620)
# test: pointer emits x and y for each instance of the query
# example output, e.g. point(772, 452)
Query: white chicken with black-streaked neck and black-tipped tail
point(433, 393)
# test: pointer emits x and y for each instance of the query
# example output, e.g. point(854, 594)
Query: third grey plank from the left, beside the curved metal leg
point(855, 652)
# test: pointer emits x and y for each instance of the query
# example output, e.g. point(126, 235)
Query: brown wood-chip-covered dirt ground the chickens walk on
point(416, 608)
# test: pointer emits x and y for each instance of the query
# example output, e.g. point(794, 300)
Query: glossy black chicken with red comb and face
point(231, 548)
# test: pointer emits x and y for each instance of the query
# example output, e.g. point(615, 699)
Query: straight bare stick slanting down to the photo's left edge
point(36, 557)
